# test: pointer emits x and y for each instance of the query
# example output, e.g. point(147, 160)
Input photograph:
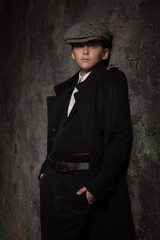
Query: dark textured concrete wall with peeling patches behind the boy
point(33, 57)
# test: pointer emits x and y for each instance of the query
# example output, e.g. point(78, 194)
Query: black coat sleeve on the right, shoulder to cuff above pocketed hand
point(117, 148)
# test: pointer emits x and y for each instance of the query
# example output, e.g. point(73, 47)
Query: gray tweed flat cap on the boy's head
point(87, 31)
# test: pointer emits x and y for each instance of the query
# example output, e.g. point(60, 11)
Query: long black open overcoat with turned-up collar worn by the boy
point(104, 113)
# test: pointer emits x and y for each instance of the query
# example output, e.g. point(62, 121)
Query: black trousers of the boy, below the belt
point(64, 214)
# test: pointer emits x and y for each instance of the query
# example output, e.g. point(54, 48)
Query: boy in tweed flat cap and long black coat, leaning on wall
point(83, 189)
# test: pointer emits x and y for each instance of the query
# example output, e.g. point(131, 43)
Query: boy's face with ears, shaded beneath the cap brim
point(87, 55)
